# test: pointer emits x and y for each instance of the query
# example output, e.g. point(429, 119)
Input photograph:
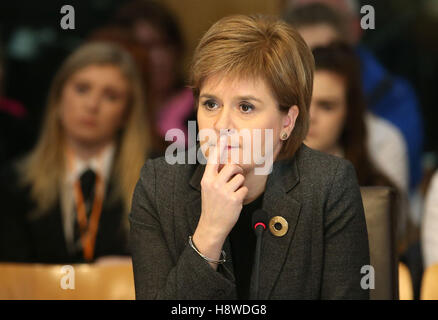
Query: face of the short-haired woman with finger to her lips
point(238, 104)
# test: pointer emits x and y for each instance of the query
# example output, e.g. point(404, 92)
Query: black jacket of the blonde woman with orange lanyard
point(28, 238)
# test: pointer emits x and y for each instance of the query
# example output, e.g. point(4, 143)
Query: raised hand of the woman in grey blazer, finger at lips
point(222, 194)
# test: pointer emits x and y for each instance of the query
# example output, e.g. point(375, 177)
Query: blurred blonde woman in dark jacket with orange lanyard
point(67, 201)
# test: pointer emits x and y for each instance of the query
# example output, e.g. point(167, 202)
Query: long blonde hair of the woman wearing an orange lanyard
point(43, 169)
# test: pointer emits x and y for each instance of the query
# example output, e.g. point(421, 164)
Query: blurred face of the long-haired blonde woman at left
point(93, 104)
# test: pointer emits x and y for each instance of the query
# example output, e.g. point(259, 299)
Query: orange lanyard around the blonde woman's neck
point(88, 229)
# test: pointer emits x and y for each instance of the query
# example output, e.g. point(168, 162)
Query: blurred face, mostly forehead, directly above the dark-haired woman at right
point(319, 35)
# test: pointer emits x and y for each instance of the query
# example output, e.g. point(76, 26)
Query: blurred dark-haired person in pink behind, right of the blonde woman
point(155, 27)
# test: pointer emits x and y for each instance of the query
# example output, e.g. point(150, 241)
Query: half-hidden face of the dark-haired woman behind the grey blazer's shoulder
point(328, 111)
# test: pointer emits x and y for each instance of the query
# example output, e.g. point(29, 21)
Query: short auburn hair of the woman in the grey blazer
point(265, 47)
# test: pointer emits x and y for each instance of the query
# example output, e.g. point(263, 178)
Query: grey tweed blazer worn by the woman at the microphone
point(320, 257)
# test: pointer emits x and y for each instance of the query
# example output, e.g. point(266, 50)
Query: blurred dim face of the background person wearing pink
point(162, 56)
